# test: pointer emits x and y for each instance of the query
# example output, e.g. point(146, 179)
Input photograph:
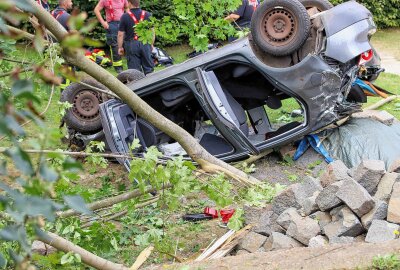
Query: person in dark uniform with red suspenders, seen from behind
point(137, 54)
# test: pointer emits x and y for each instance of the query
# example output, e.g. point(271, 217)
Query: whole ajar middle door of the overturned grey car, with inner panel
point(227, 110)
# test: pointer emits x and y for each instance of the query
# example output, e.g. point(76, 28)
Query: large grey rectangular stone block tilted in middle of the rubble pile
point(355, 197)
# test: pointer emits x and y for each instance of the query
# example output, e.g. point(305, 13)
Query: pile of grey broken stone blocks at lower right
point(342, 206)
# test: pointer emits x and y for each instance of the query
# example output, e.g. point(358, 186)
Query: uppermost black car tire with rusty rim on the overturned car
point(280, 27)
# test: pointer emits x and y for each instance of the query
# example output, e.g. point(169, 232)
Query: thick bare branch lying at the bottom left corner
point(87, 257)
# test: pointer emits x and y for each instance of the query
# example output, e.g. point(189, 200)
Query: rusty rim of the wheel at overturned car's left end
point(86, 105)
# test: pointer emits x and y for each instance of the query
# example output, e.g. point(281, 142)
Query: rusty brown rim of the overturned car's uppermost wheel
point(278, 26)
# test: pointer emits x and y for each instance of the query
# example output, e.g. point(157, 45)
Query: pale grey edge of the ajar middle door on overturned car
point(218, 105)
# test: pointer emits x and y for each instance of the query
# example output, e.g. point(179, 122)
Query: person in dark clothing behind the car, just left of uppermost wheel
point(242, 16)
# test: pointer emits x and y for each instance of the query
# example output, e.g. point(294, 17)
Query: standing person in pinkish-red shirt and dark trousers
point(114, 10)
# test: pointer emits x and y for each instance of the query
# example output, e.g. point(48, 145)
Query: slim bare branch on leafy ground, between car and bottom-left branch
point(111, 201)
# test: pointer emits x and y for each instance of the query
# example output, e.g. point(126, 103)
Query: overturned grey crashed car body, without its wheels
point(239, 100)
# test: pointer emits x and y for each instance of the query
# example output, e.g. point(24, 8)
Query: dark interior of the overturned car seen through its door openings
point(249, 101)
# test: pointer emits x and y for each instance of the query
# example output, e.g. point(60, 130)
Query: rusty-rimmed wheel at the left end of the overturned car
point(84, 116)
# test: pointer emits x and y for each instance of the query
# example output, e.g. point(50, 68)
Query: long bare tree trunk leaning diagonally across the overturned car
point(192, 147)
